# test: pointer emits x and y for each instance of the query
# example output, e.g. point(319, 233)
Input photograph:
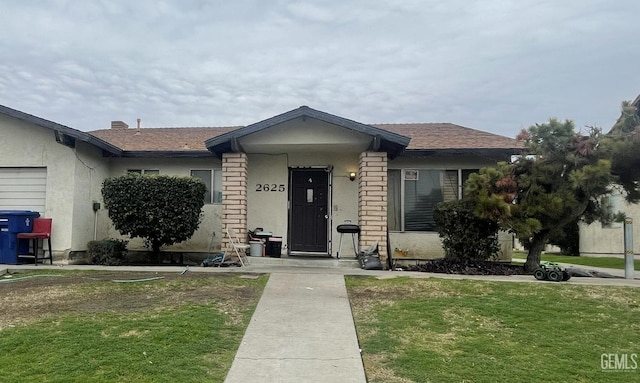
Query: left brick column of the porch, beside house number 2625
point(234, 195)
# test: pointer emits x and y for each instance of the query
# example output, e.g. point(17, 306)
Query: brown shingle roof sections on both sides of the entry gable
point(424, 136)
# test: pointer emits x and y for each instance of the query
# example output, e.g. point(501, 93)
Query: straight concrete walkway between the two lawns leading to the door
point(302, 331)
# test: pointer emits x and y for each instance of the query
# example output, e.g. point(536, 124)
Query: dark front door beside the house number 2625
point(309, 210)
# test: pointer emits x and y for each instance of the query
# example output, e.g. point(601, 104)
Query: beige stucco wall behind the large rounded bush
point(211, 213)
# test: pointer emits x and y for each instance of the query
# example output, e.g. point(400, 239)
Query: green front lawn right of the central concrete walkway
point(441, 330)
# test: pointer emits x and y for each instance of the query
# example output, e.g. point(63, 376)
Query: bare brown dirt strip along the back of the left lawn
point(33, 297)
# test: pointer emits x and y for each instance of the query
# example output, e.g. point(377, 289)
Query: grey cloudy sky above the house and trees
point(494, 65)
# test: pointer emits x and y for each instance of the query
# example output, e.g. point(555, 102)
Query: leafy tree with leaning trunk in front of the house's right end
point(561, 178)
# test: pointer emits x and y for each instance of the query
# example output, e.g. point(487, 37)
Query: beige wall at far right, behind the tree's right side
point(596, 240)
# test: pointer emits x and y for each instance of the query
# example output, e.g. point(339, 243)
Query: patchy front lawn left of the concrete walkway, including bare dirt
point(83, 327)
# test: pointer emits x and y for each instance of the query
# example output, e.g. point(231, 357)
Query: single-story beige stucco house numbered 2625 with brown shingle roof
point(292, 175)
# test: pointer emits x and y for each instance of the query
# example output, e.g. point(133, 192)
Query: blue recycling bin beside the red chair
point(13, 222)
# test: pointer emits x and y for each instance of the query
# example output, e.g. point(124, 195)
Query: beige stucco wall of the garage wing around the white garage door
point(71, 175)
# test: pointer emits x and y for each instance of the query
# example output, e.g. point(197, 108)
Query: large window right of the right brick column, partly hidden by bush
point(414, 193)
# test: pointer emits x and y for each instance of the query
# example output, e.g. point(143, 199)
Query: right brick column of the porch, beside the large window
point(372, 202)
